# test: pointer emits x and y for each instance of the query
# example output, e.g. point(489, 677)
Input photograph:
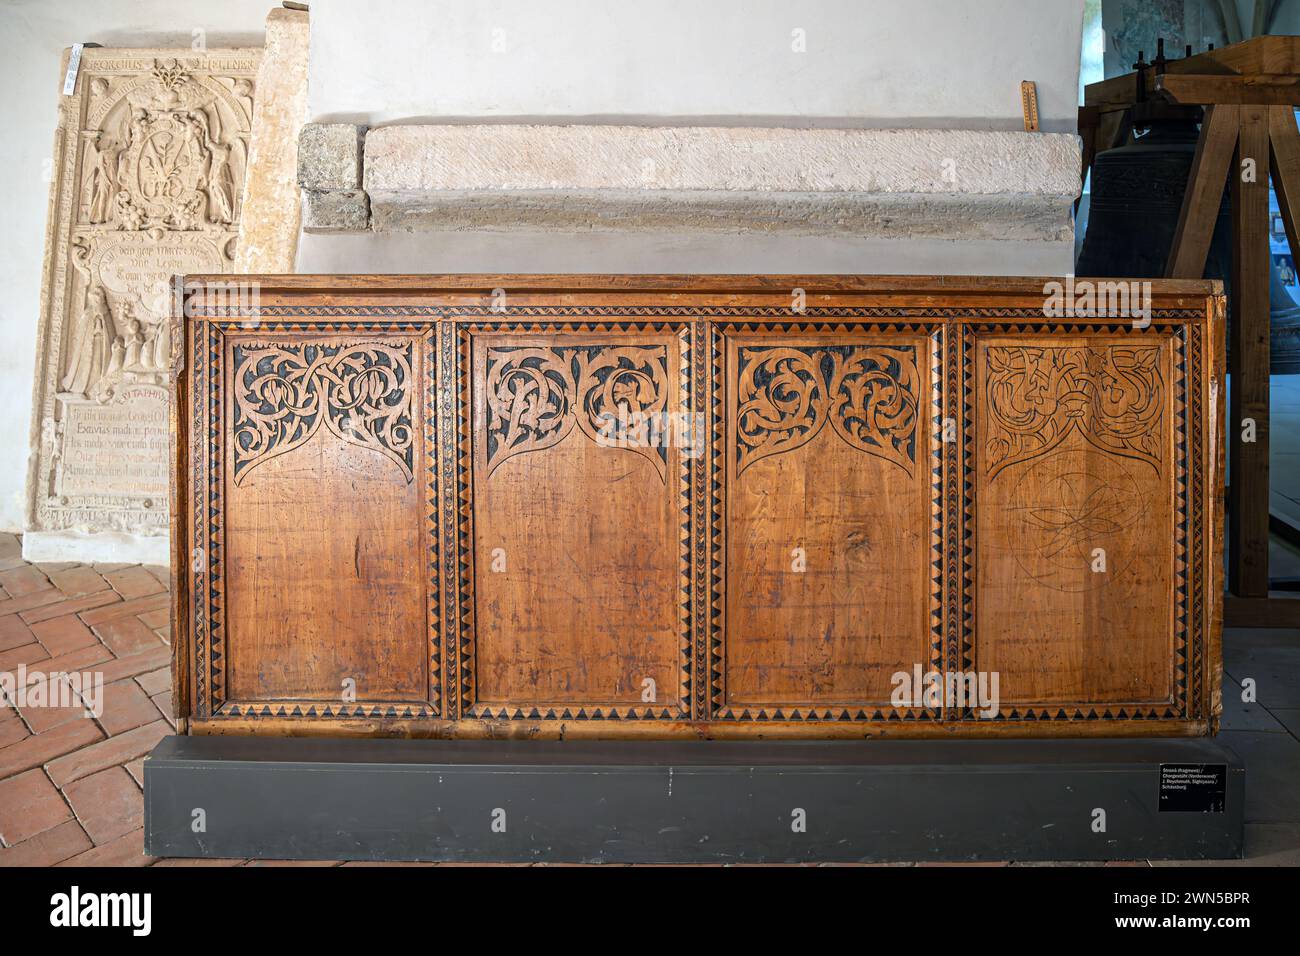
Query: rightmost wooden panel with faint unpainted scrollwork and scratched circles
point(1080, 539)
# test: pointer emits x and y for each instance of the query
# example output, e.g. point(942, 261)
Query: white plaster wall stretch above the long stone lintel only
point(868, 63)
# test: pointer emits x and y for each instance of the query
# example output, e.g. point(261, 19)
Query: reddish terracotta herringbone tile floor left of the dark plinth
point(71, 785)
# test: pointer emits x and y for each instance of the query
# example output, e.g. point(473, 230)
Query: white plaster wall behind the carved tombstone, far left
point(33, 37)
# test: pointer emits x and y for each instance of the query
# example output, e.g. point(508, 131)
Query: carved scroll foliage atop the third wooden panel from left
point(868, 393)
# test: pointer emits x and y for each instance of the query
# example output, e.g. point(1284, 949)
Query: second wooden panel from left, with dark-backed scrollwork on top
point(578, 496)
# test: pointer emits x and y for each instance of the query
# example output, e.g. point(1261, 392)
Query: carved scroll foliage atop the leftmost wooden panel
point(362, 392)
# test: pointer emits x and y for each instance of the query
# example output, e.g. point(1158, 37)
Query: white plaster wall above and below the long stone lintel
point(954, 64)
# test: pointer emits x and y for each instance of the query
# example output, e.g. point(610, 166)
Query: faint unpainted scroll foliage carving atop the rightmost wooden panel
point(1113, 396)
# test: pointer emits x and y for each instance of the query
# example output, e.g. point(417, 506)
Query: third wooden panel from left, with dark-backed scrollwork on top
point(827, 492)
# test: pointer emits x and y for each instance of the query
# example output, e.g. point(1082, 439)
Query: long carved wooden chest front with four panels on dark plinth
point(697, 507)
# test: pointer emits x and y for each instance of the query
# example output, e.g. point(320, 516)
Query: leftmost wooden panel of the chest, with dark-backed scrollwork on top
point(326, 490)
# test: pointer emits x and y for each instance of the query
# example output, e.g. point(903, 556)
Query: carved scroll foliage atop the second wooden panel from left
point(614, 395)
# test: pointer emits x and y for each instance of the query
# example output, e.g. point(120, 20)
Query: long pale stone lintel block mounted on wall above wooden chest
point(882, 184)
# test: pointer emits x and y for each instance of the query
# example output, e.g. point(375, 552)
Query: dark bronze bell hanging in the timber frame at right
point(1137, 196)
